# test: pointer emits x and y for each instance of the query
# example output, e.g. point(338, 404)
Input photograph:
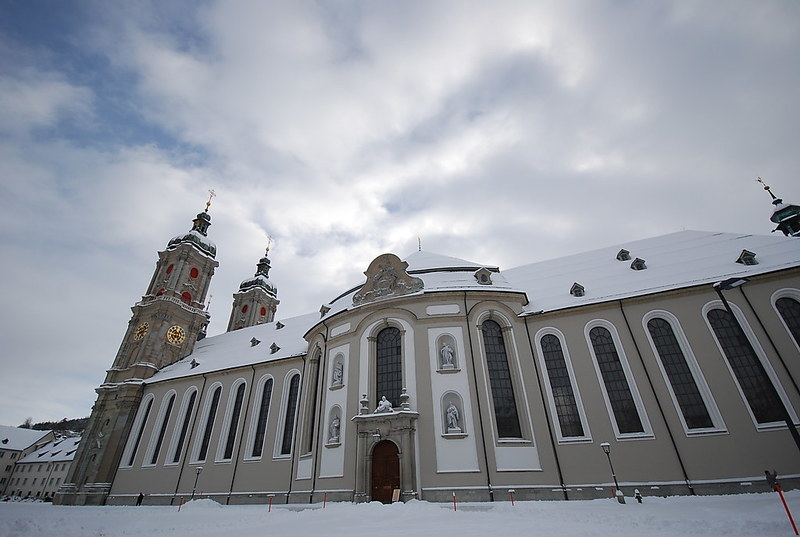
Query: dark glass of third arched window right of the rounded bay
point(681, 380)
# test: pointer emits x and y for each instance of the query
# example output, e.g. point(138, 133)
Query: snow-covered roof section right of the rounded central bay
point(674, 261)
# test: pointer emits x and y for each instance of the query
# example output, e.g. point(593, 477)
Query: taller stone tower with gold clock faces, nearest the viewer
point(165, 325)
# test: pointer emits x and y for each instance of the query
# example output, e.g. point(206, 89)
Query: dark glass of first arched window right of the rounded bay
point(569, 418)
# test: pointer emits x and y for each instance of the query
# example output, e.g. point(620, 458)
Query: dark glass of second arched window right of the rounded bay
point(615, 381)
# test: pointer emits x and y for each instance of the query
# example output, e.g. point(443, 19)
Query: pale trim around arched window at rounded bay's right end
point(515, 369)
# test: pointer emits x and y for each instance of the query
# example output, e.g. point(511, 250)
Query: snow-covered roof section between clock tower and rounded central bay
point(235, 349)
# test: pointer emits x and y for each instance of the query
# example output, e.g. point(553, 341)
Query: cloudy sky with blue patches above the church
point(500, 132)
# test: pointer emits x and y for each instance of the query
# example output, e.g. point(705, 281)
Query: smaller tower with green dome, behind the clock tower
point(257, 299)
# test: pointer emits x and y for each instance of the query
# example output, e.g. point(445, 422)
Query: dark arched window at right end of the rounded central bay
point(505, 403)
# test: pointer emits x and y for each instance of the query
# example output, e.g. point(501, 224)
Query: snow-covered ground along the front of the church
point(758, 515)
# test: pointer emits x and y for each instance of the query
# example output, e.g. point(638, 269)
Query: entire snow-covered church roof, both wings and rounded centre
point(674, 261)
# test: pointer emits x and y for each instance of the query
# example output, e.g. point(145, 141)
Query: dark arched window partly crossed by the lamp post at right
point(750, 374)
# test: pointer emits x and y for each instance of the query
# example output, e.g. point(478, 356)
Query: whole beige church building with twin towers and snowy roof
point(668, 365)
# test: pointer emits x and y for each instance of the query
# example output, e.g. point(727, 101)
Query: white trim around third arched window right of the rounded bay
point(694, 367)
